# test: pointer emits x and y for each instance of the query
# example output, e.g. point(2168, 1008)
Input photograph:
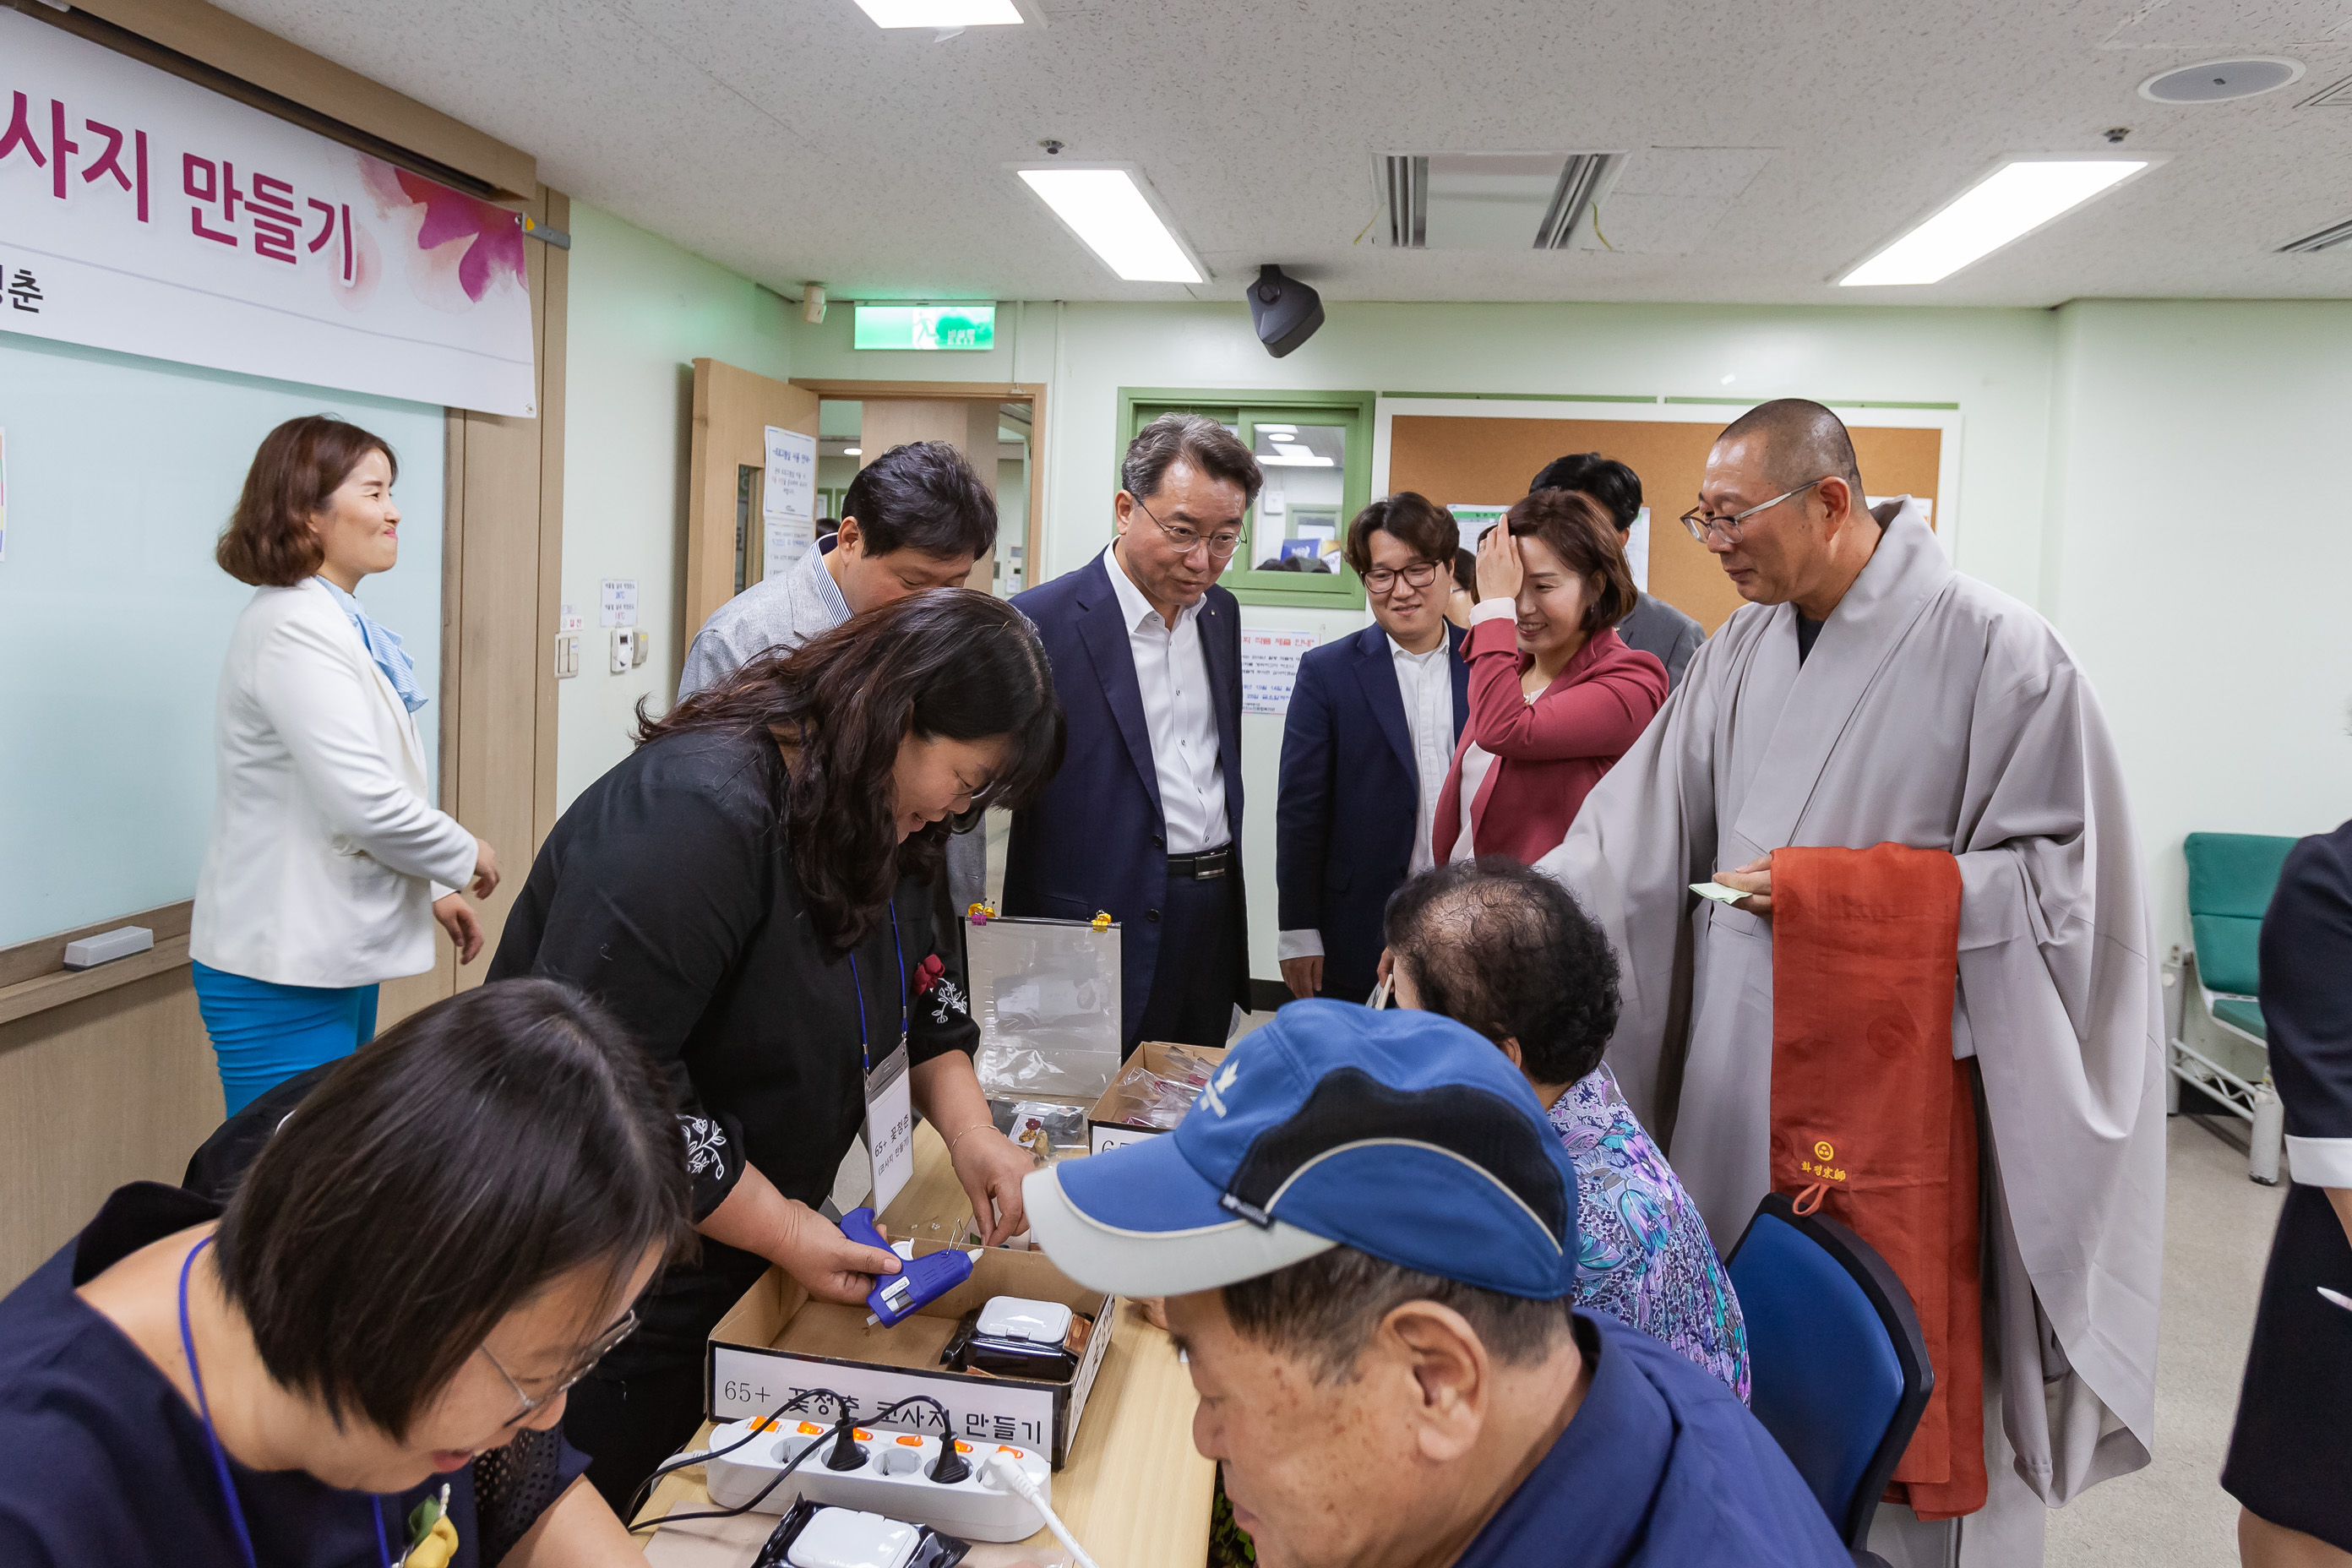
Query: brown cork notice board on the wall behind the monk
point(1488, 462)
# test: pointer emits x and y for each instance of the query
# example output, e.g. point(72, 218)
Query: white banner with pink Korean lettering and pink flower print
point(147, 215)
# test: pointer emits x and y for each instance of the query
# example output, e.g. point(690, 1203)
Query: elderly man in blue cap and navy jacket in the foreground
point(1368, 1240)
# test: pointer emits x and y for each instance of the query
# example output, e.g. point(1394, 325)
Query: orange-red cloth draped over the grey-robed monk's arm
point(1873, 1120)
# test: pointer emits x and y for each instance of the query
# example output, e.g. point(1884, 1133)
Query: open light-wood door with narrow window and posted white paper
point(726, 471)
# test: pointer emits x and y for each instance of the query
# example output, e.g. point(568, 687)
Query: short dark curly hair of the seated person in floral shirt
point(1506, 951)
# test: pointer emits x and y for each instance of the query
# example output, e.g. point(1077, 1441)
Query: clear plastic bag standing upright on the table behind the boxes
point(1048, 1000)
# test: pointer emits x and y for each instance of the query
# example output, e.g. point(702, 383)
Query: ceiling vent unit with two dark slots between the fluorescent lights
point(1492, 201)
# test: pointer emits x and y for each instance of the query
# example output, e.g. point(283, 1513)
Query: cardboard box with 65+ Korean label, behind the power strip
point(782, 1348)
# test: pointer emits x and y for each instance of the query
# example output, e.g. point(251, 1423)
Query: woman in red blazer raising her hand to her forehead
point(1556, 695)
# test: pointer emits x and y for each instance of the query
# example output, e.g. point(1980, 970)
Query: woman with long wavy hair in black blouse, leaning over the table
point(751, 892)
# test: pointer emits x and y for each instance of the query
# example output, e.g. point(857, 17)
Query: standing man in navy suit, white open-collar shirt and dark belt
point(1147, 812)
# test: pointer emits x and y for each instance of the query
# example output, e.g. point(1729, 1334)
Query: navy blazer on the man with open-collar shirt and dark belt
point(1097, 840)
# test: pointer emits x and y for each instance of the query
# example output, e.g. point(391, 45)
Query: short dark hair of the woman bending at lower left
point(441, 1179)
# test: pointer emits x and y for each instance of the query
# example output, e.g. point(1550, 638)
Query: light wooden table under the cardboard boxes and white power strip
point(1135, 1492)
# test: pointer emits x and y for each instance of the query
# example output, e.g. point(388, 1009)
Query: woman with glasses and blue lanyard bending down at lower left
point(363, 1358)
